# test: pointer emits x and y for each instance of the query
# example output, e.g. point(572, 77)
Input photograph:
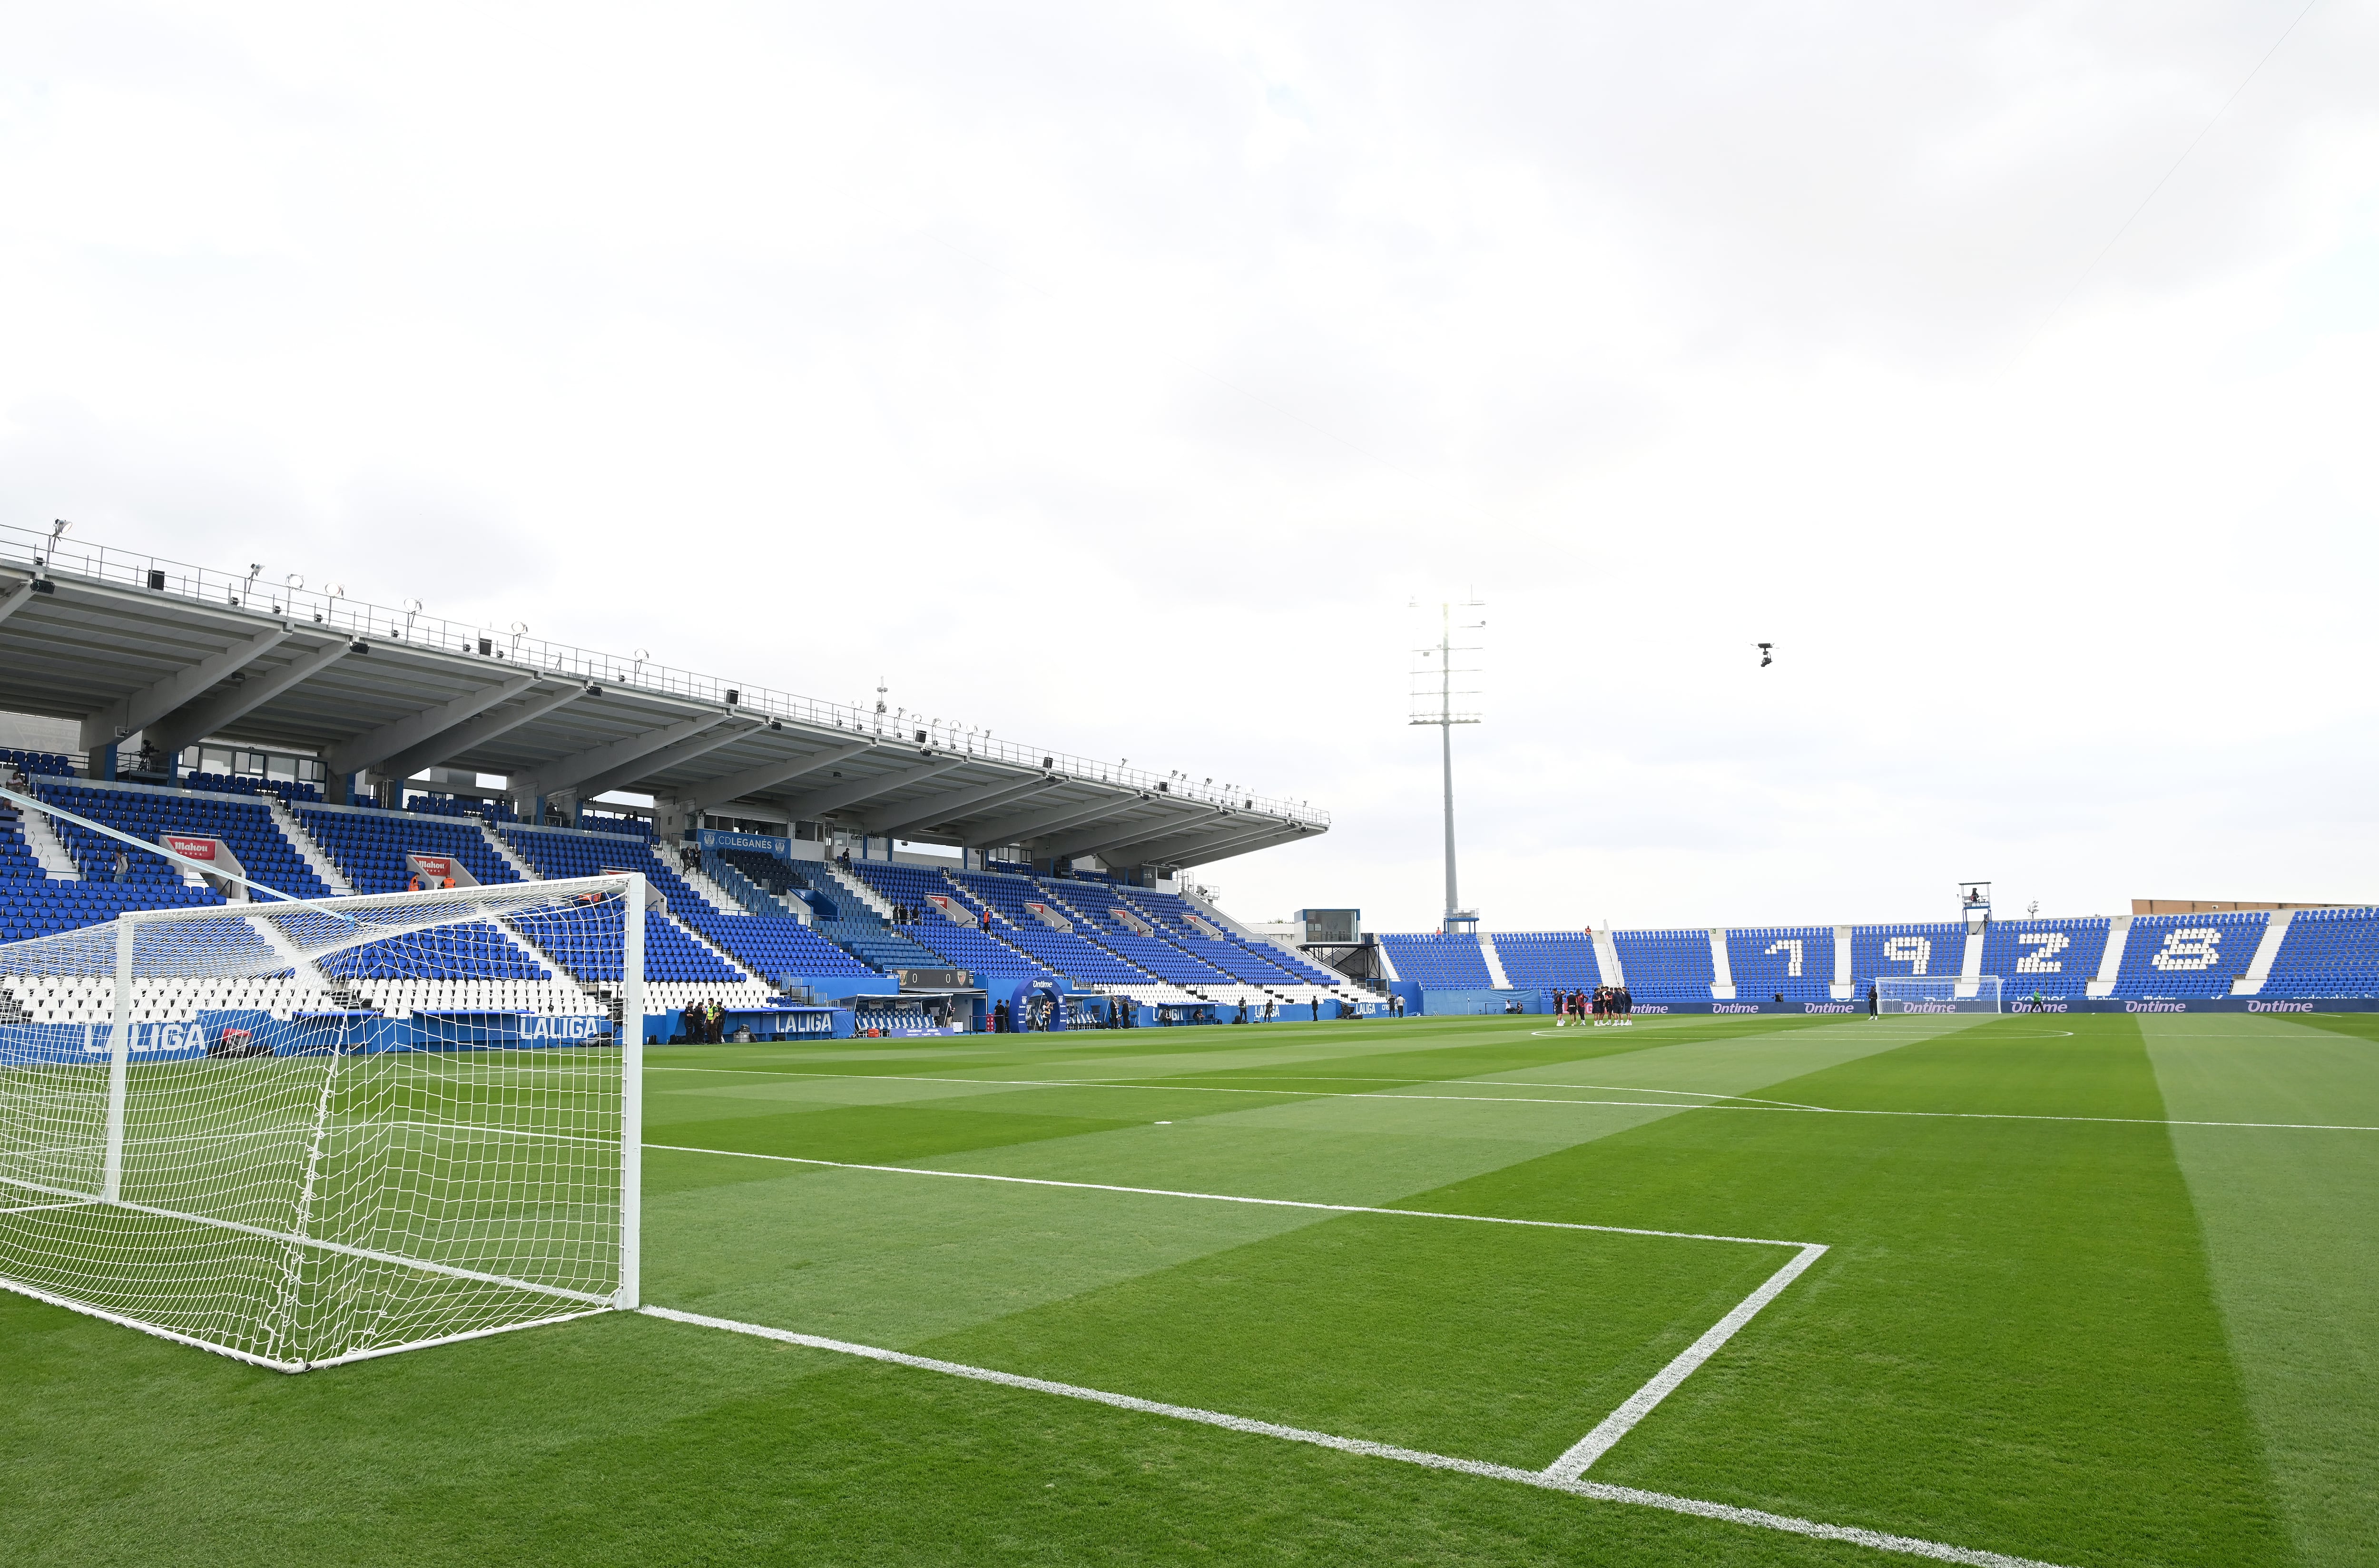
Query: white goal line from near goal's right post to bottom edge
point(1381, 1450)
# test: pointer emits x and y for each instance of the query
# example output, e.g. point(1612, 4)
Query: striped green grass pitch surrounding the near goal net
point(2061, 1315)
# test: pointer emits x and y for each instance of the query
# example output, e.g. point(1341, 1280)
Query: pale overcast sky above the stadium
point(1117, 377)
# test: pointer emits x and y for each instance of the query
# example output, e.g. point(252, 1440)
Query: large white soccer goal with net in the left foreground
point(320, 1131)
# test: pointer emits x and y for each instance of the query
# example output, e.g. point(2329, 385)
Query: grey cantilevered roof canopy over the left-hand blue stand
point(137, 648)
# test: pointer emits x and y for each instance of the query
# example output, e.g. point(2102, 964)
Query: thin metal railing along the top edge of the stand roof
point(413, 627)
